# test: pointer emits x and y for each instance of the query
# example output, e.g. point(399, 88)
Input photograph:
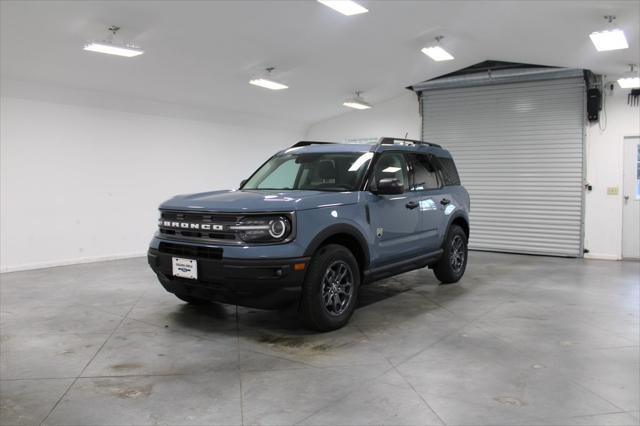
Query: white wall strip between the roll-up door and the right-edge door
point(603, 213)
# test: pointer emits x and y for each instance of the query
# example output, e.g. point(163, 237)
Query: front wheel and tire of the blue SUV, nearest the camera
point(330, 289)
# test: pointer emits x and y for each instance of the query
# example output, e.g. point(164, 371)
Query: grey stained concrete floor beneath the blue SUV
point(521, 340)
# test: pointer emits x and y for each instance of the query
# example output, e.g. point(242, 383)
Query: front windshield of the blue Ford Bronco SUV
point(319, 172)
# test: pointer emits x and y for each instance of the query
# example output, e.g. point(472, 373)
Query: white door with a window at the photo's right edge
point(631, 199)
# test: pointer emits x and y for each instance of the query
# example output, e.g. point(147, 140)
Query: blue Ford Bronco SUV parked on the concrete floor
point(312, 224)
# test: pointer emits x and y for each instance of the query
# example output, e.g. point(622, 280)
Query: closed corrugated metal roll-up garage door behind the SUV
point(519, 149)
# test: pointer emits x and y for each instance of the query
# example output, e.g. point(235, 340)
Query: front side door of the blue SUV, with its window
point(395, 219)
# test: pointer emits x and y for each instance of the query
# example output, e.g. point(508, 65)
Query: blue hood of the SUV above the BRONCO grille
point(240, 201)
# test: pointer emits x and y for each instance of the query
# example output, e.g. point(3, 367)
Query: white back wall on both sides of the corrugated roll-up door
point(603, 213)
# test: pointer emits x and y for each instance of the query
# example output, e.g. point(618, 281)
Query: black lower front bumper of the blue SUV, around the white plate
point(259, 283)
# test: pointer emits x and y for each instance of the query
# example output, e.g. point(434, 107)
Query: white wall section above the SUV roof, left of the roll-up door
point(395, 117)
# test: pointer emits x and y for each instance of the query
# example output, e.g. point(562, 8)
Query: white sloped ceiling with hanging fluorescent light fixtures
point(201, 54)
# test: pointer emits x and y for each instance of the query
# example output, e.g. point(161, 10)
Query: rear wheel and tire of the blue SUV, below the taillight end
point(450, 268)
